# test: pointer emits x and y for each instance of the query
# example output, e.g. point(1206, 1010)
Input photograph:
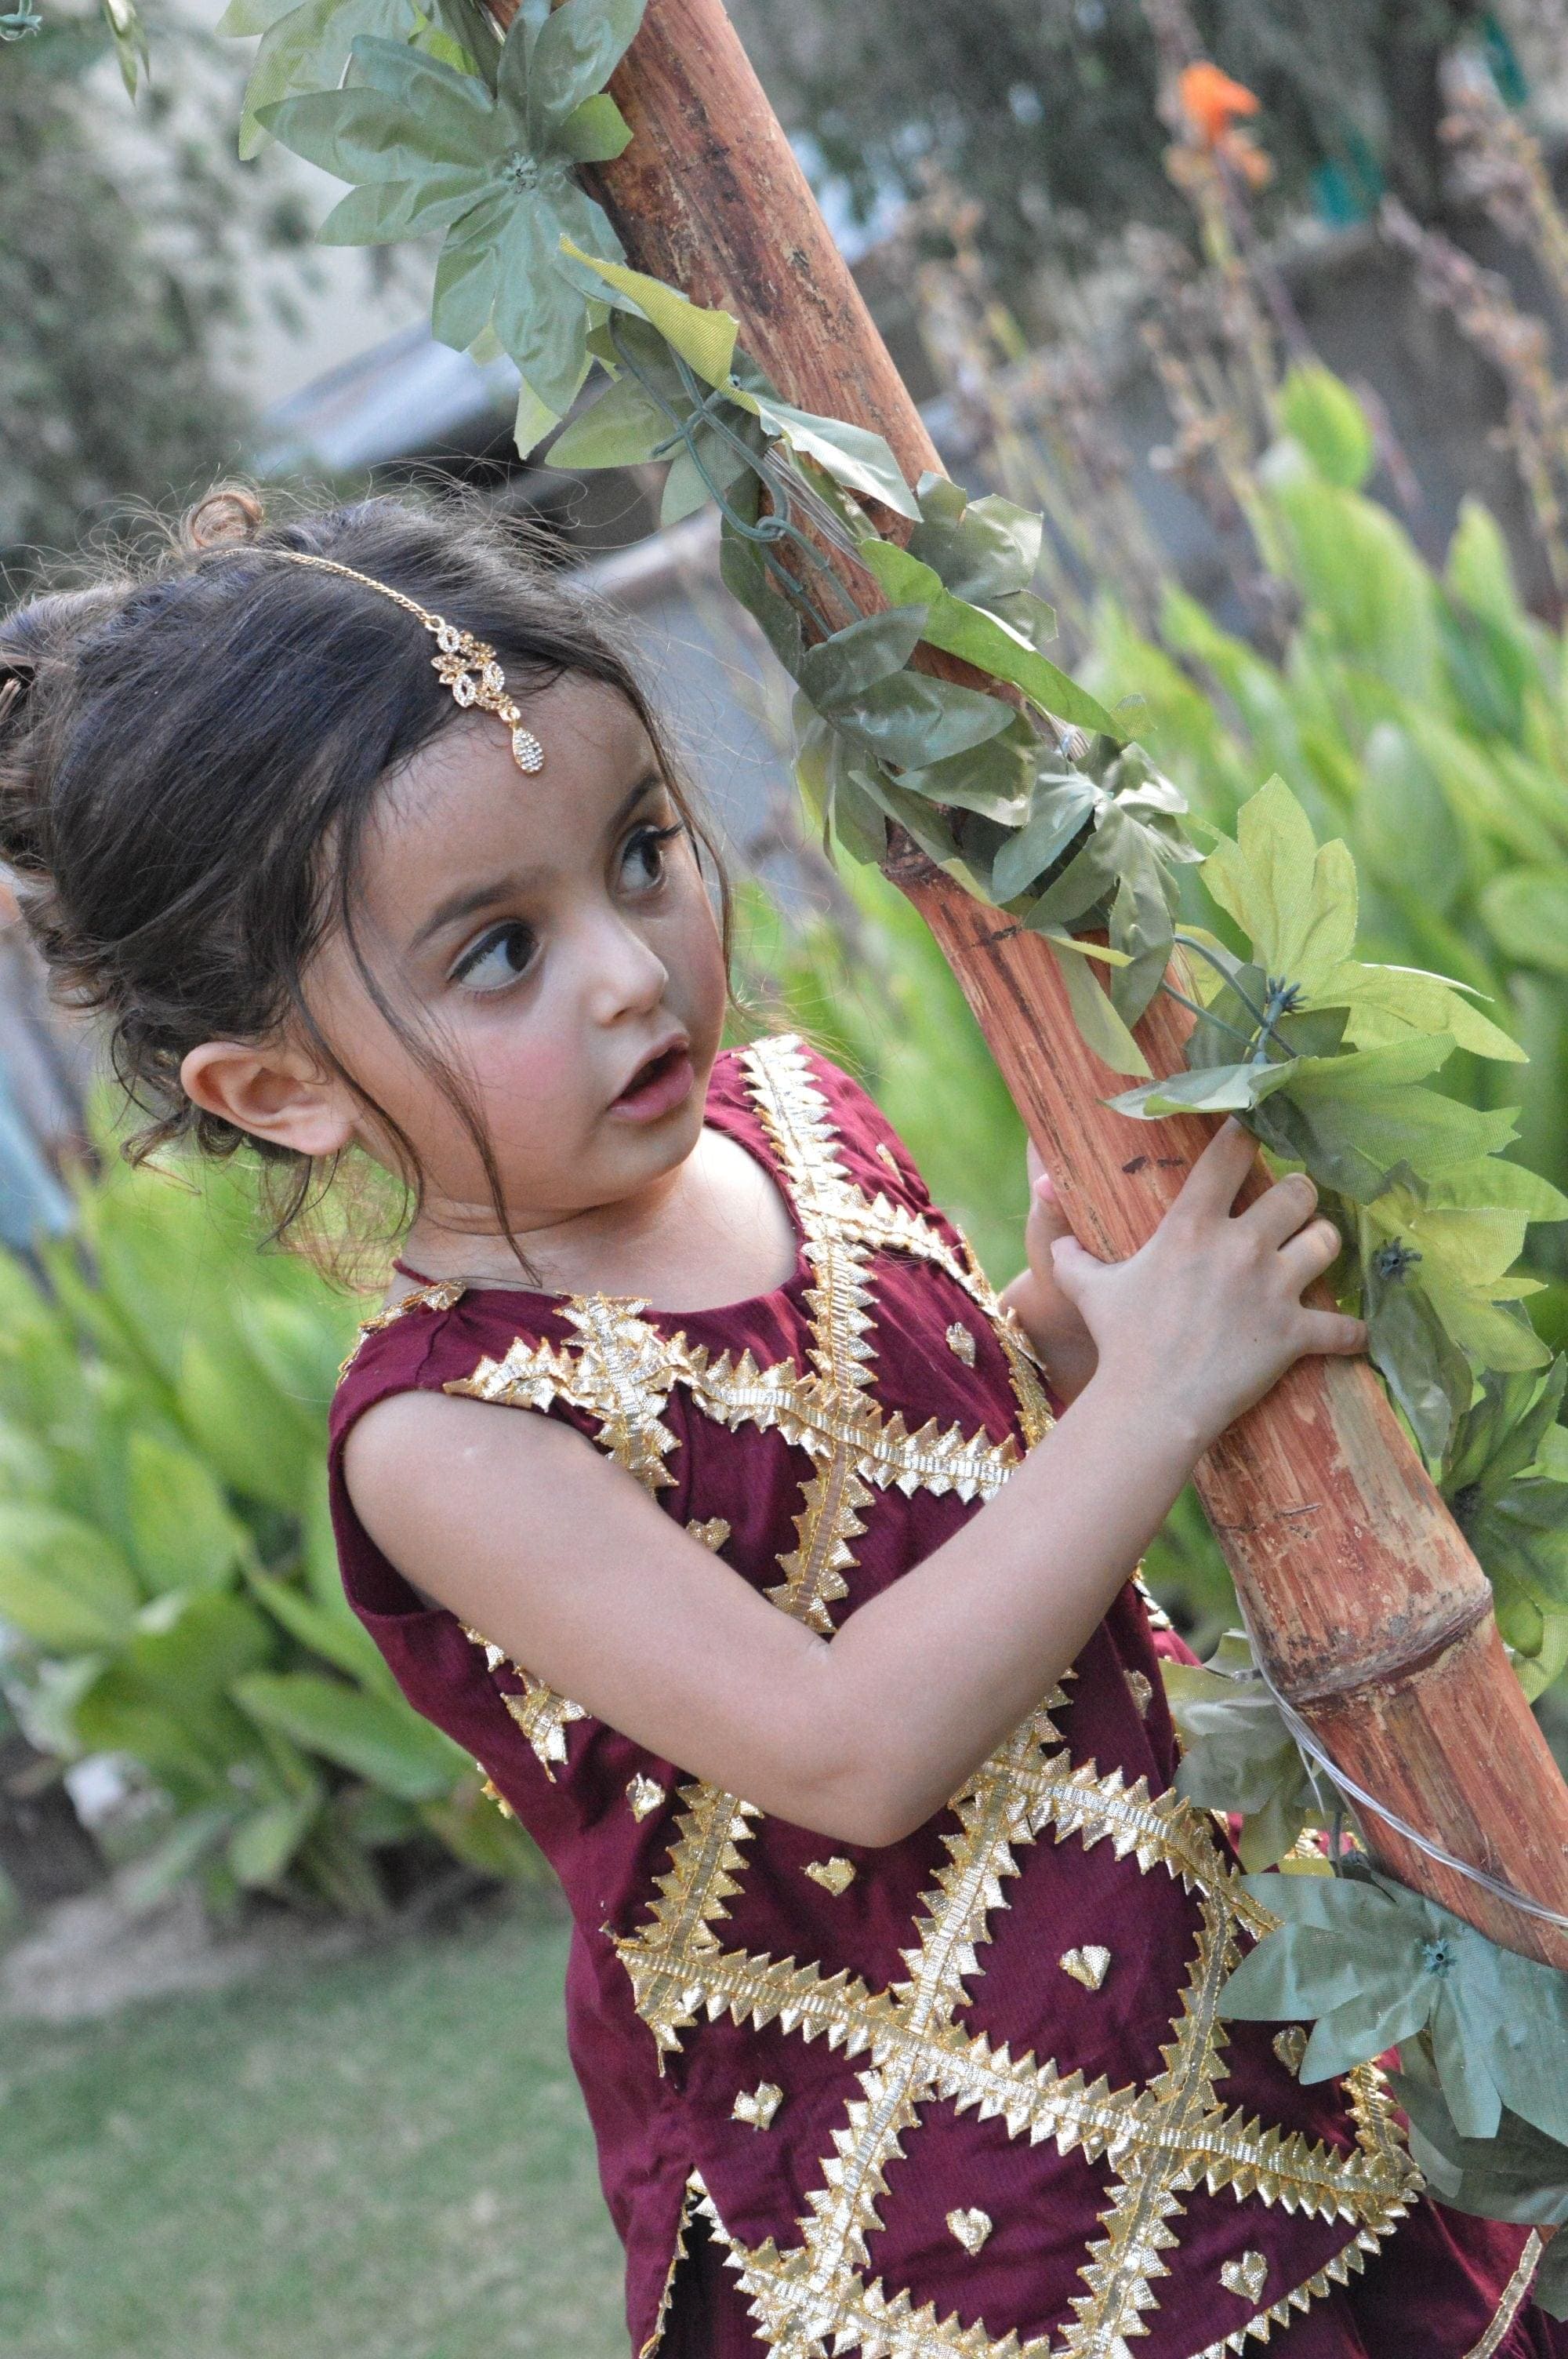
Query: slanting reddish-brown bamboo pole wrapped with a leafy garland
point(1371, 1612)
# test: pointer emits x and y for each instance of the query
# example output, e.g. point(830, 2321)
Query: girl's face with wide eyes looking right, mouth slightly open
point(553, 940)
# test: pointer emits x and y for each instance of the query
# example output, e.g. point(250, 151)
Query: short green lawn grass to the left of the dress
point(371, 2160)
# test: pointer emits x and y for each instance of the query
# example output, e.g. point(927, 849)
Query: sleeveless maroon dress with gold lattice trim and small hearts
point(966, 2096)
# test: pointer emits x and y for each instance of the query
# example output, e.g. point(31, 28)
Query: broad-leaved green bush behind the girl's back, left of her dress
point(169, 1570)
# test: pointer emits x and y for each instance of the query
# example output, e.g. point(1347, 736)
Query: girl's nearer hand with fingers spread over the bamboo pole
point(1208, 1315)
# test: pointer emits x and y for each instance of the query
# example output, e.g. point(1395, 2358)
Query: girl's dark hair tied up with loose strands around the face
point(190, 754)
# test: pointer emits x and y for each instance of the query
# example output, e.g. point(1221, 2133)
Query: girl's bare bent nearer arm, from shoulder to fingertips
point(529, 1535)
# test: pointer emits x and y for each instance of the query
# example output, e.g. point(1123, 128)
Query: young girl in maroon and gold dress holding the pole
point(694, 1480)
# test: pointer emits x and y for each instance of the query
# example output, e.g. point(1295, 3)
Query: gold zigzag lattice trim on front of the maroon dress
point(909, 2039)
